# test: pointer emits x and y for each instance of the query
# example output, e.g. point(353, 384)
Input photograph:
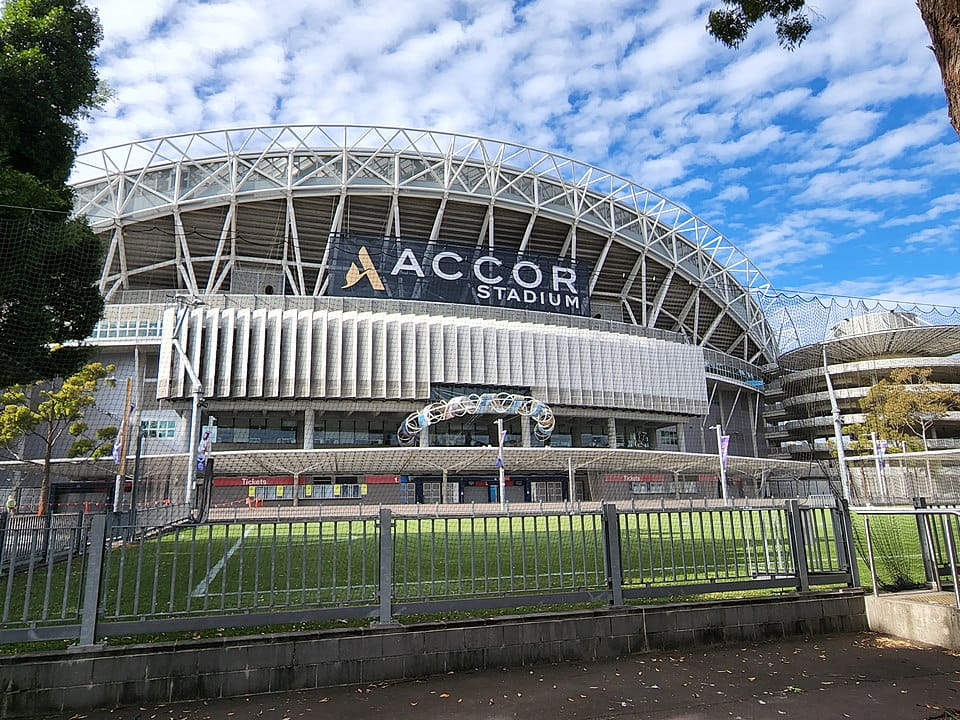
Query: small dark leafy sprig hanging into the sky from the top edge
point(732, 23)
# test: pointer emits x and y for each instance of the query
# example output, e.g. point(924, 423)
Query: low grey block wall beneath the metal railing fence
point(50, 682)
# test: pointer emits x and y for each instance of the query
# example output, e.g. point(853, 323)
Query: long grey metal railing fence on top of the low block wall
point(123, 579)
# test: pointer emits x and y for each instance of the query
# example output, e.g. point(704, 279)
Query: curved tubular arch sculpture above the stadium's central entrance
point(487, 403)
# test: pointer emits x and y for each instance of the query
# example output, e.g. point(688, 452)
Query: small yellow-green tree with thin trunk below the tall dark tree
point(45, 413)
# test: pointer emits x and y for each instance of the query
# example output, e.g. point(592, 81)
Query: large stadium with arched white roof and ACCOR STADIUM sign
point(308, 289)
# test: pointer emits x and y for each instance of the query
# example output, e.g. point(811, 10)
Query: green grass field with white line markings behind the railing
point(236, 568)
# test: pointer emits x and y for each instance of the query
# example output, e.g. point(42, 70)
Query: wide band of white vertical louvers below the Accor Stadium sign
point(370, 355)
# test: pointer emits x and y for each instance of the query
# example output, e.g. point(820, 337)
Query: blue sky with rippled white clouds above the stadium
point(834, 168)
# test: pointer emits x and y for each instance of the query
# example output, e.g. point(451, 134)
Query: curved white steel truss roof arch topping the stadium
point(667, 267)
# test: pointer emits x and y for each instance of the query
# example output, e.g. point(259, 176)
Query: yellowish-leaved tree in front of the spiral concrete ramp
point(906, 403)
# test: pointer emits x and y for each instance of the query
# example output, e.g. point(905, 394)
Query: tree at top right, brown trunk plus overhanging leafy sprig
point(731, 23)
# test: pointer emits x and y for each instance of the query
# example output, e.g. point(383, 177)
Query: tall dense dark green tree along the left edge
point(49, 263)
